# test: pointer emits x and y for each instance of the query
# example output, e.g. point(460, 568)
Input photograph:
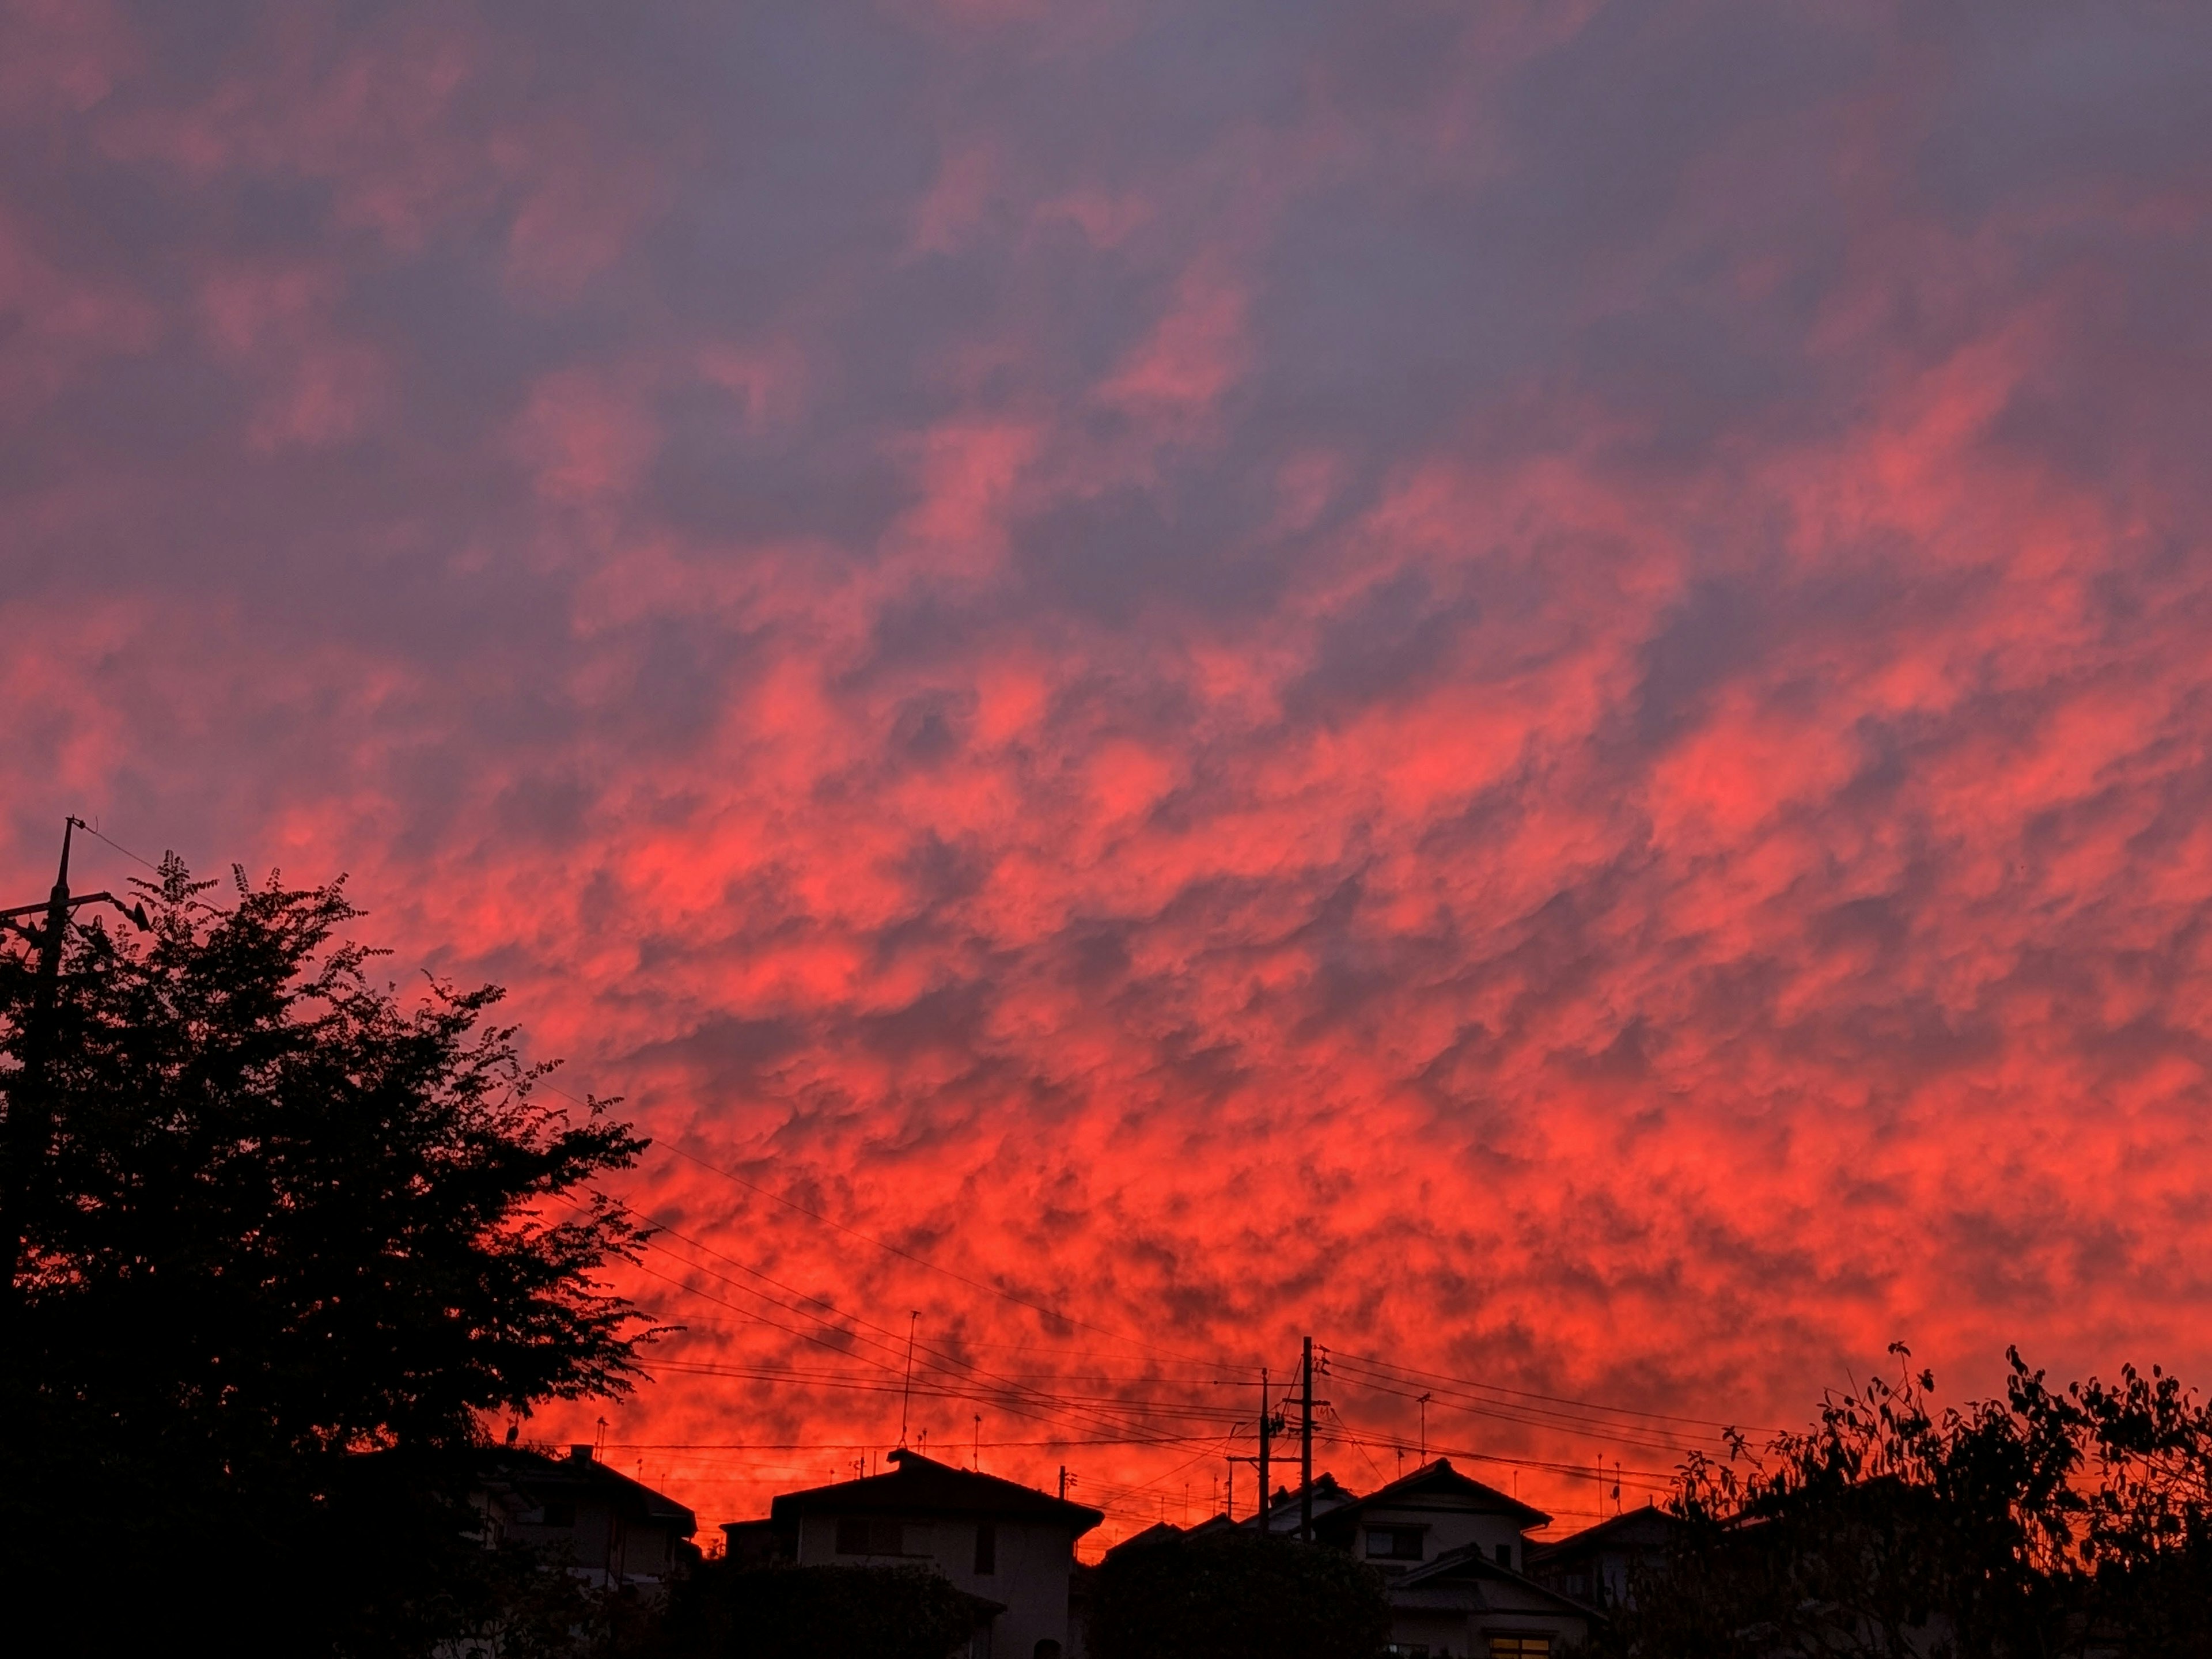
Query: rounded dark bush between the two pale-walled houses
point(1233, 1596)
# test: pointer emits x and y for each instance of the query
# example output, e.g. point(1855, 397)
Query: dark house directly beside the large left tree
point(612, 1530)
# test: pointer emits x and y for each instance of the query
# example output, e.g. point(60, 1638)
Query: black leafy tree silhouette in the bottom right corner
point(2052, 1523)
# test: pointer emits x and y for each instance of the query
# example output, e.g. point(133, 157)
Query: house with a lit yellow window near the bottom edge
point(1454, 1554)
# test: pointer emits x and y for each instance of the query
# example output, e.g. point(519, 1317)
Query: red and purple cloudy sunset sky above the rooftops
point(1519, 687)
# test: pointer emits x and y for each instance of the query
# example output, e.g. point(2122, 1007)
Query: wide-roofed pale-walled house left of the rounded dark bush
point(990, 1536)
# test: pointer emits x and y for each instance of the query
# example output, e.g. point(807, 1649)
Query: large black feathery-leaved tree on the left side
point(275, 1220)
